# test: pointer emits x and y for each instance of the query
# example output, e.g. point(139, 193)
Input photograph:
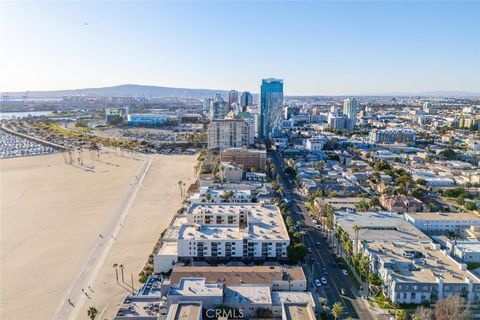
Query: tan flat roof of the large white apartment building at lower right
point(420, 262)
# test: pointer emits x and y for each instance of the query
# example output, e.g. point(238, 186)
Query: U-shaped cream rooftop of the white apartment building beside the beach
point(264, 223)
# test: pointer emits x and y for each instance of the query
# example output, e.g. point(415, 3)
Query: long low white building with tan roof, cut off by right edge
point(442, 222)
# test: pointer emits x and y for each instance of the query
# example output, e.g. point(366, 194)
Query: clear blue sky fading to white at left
point(316, 47)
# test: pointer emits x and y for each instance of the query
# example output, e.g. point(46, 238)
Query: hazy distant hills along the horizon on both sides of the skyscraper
point(167, 92)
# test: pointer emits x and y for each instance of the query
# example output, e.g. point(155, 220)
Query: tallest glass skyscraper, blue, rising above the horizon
point(271, 108)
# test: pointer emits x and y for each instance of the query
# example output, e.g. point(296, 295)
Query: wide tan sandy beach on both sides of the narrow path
point(51, 218)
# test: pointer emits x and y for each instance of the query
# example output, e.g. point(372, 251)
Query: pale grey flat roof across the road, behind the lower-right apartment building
point(379, 226)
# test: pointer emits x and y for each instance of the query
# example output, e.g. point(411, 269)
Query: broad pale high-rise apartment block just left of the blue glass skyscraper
point(229, 133)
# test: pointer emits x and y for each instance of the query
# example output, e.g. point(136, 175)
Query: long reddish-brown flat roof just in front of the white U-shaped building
point(239, 275)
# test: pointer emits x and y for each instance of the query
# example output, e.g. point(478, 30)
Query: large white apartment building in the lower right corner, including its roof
point(414, 272)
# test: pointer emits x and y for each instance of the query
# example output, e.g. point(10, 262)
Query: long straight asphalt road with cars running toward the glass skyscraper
point(322, 254)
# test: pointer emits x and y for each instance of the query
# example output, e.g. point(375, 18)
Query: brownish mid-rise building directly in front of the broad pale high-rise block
point(245, 158)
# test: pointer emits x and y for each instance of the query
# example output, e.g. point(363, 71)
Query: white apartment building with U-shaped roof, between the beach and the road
point(229, 231)
